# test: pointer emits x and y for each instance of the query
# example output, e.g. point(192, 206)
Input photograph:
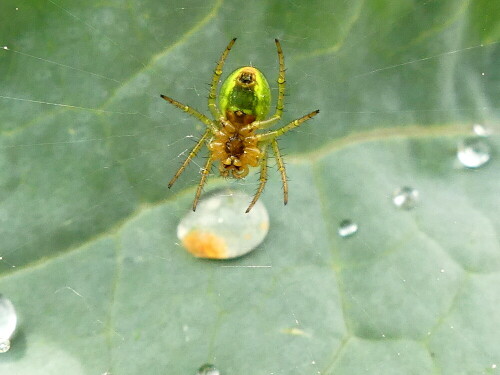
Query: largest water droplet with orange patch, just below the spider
point(220, 228)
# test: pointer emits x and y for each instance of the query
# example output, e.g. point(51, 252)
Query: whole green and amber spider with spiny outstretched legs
point(231, 136)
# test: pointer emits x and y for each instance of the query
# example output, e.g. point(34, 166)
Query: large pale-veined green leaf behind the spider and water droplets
point(88, 247)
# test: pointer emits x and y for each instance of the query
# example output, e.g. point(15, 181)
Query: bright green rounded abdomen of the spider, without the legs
point(247, 91)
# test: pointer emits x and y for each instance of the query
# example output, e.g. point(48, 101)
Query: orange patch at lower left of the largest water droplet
point(205, 245)
